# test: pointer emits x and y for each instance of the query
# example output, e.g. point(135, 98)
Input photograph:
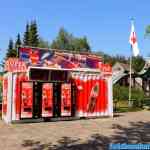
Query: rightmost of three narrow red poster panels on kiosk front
point(66, 99)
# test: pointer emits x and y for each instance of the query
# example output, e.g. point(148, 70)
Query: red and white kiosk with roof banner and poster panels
point(47, 84)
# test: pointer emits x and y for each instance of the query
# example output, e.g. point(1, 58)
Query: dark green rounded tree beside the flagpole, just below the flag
point(138, 63)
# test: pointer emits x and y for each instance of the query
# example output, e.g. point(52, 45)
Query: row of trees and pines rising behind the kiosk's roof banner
point(64, 41)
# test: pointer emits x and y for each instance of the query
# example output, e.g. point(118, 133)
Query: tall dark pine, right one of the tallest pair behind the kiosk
point(33, 34)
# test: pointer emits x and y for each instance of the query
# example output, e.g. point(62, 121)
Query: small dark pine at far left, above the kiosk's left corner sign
point(11, 51)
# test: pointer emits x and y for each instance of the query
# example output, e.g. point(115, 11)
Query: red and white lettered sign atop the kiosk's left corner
point(15, 65)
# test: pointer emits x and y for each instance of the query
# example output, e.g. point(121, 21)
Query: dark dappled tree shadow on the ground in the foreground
point(136, 133)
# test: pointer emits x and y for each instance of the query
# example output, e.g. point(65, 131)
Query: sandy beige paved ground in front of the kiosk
point(96, 134)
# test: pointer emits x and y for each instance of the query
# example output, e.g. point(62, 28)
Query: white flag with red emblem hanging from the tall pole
point(133, 41)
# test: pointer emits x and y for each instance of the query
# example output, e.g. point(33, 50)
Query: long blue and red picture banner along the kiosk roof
point(55, 59)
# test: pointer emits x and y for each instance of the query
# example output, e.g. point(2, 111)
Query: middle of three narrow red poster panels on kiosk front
point(47, 100)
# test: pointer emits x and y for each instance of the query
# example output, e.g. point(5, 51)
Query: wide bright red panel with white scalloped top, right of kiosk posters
point(91, 97)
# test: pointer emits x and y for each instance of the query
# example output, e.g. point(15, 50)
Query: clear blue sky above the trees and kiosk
point(106, 23)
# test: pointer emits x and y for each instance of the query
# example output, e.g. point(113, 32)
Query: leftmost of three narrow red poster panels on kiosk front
point(26, 99)
